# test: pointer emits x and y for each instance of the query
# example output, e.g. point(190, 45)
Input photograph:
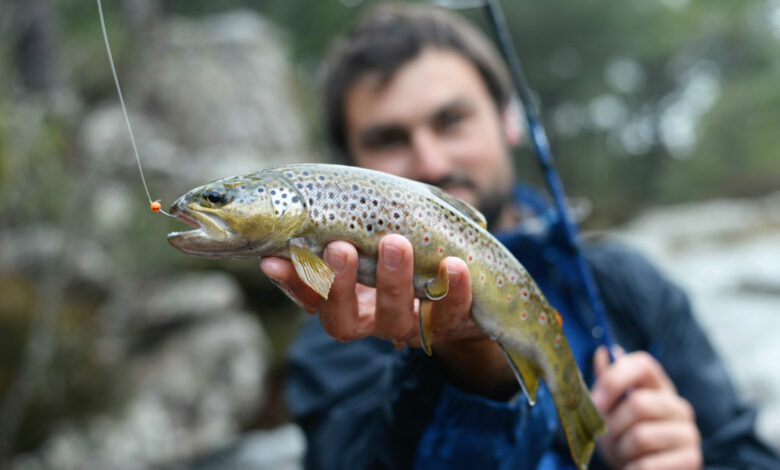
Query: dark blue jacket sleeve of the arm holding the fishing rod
point(647, 312)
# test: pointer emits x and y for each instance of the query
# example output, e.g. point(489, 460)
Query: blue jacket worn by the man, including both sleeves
point(364, 405)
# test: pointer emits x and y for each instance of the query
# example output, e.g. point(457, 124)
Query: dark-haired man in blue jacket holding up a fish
point(418, 93)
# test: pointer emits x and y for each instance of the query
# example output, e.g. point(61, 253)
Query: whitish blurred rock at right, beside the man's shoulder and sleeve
point(725, 255)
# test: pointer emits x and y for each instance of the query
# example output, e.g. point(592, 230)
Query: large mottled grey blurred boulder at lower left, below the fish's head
point(189, 395)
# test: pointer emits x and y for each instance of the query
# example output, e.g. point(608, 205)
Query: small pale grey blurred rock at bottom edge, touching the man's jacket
point(279, 449)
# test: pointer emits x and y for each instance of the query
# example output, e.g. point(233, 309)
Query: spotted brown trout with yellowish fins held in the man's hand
point(295, 211)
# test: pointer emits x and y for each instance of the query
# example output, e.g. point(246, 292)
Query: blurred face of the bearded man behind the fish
point(433, 121)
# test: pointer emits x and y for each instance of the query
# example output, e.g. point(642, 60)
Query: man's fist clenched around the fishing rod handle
point(649, 426)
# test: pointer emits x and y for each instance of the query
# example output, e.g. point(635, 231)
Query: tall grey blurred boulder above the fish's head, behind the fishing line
point(215, 97)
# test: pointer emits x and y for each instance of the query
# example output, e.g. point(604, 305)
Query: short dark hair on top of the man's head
point(388, 36)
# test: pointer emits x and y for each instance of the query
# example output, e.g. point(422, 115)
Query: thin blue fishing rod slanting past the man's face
point(541, 144)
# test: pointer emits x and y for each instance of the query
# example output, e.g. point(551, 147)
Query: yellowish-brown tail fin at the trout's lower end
point(582, 425)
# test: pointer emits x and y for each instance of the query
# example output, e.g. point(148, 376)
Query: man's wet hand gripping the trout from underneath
point(389, 311)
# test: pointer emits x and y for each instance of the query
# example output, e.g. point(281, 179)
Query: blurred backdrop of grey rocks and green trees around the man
point(117, 351)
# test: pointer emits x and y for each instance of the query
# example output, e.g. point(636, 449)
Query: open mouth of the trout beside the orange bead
point(210, 237)
